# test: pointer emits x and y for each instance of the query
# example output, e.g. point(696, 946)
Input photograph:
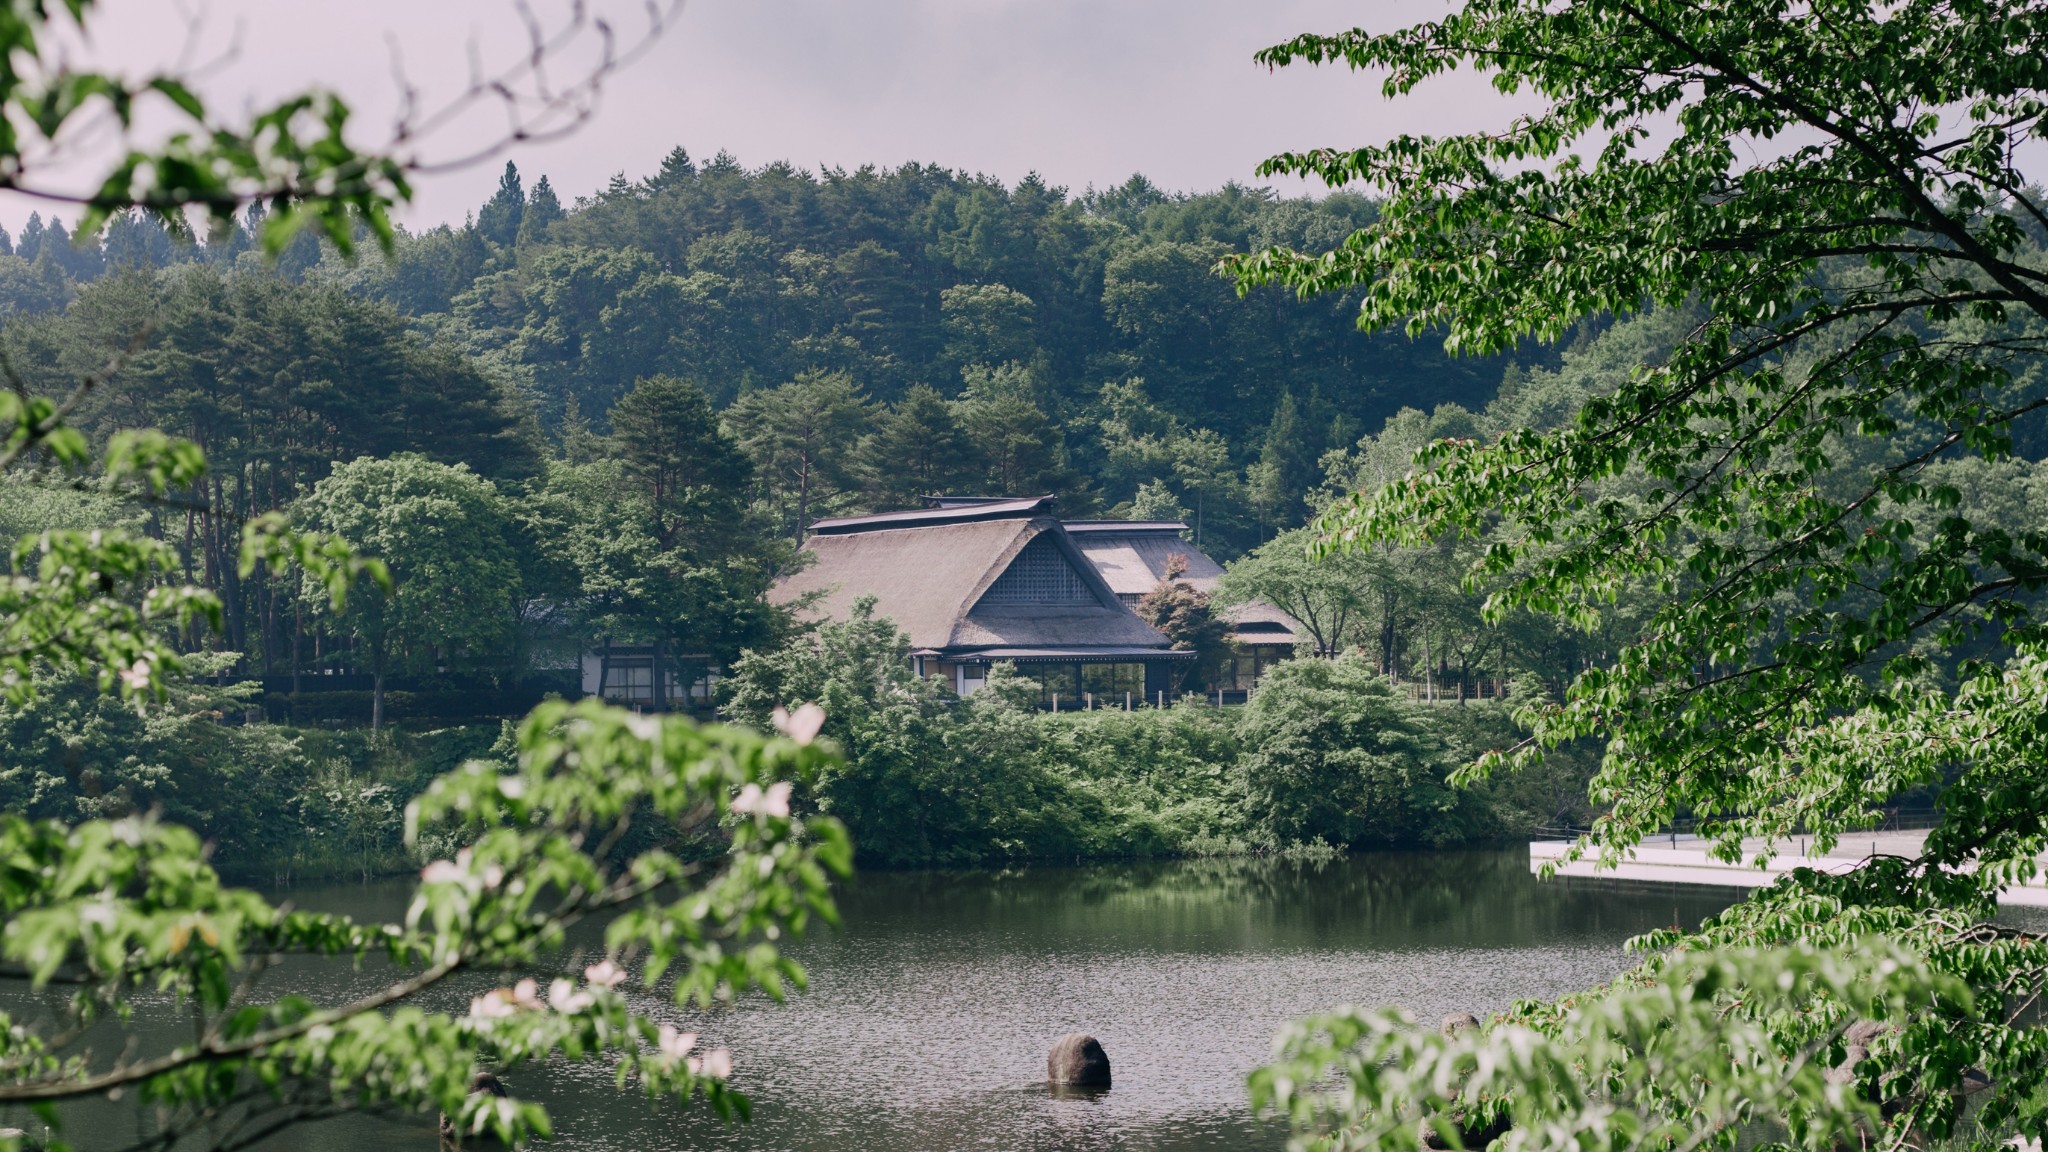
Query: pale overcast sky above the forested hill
point(1082, 91)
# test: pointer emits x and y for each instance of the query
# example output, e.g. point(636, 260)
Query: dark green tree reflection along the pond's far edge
point(1474, 899)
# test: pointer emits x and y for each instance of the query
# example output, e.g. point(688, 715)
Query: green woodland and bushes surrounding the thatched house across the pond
point(609, 421)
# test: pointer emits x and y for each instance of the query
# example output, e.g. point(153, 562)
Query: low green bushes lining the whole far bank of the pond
point(1324, 753)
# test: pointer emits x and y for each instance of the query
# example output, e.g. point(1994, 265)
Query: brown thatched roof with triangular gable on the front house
point(968, 579)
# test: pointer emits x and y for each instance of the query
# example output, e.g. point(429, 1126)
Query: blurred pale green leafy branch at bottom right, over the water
point(1676, 1057)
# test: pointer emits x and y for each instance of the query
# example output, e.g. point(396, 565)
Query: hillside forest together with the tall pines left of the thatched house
point(804, 343)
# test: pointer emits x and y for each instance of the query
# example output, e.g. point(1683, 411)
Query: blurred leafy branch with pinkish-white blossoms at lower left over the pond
point(130, 909)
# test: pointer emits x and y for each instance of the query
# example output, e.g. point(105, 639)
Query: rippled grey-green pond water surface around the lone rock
point(933, 1007)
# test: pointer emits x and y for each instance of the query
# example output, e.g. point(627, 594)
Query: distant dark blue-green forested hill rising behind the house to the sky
point(916, 329)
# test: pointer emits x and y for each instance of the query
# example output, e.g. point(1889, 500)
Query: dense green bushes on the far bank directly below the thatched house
point(1326, 753)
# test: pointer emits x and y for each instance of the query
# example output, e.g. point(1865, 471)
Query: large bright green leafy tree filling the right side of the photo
point(1832, 202)
